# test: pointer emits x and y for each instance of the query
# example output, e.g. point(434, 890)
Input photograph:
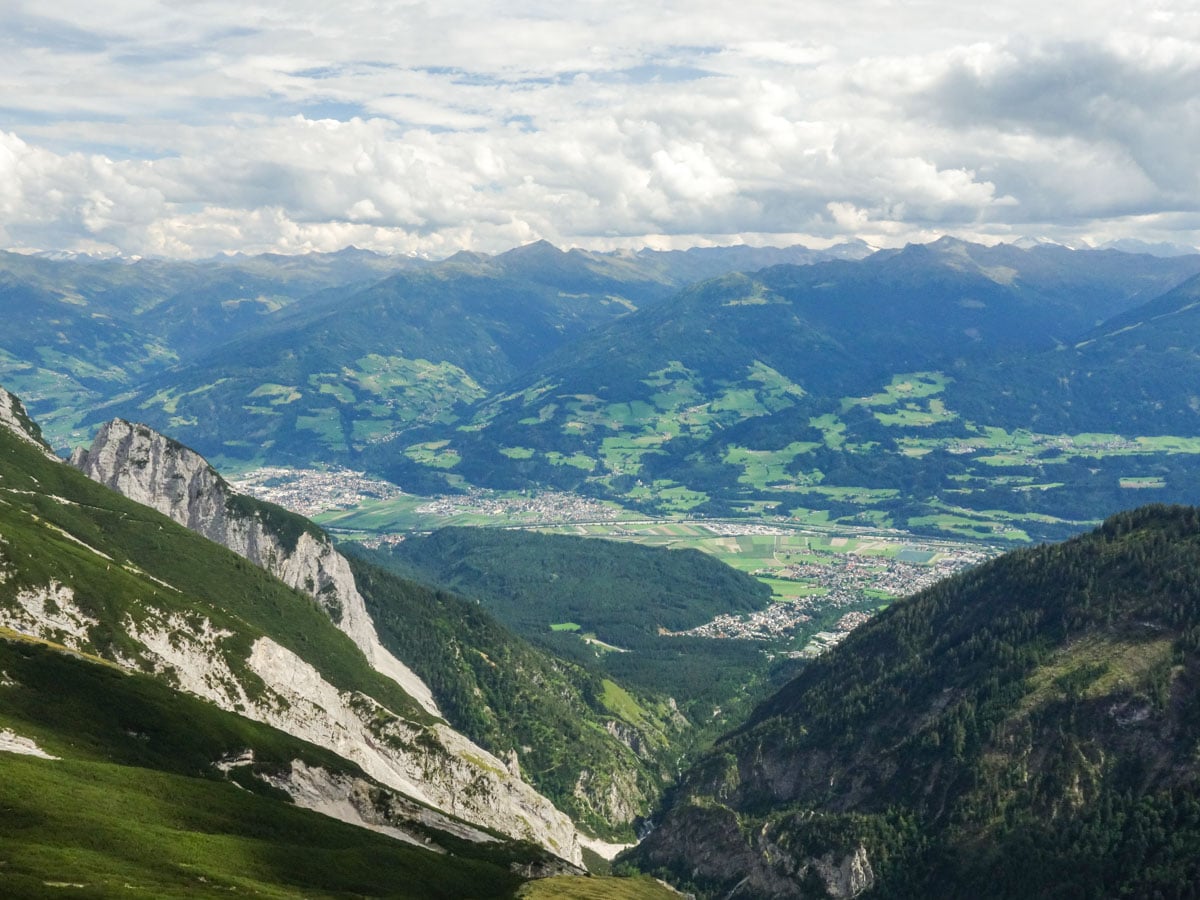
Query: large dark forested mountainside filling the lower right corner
point(1029, 729)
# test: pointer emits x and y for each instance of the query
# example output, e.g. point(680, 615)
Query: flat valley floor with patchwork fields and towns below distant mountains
point(825, 579)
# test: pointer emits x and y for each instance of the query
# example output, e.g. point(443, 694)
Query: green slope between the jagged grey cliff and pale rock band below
point(205, 578)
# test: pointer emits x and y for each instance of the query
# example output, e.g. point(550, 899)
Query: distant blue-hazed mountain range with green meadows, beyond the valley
point(921, 388)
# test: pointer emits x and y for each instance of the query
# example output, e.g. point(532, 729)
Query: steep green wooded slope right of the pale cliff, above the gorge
point(602, 754)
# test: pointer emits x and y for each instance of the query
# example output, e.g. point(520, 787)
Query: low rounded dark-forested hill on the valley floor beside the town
point(608, 605)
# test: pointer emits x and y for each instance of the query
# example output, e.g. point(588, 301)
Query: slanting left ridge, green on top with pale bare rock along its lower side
point(260, 649)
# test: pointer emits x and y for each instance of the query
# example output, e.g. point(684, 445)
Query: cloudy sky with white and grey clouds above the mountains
point(193, 128)
